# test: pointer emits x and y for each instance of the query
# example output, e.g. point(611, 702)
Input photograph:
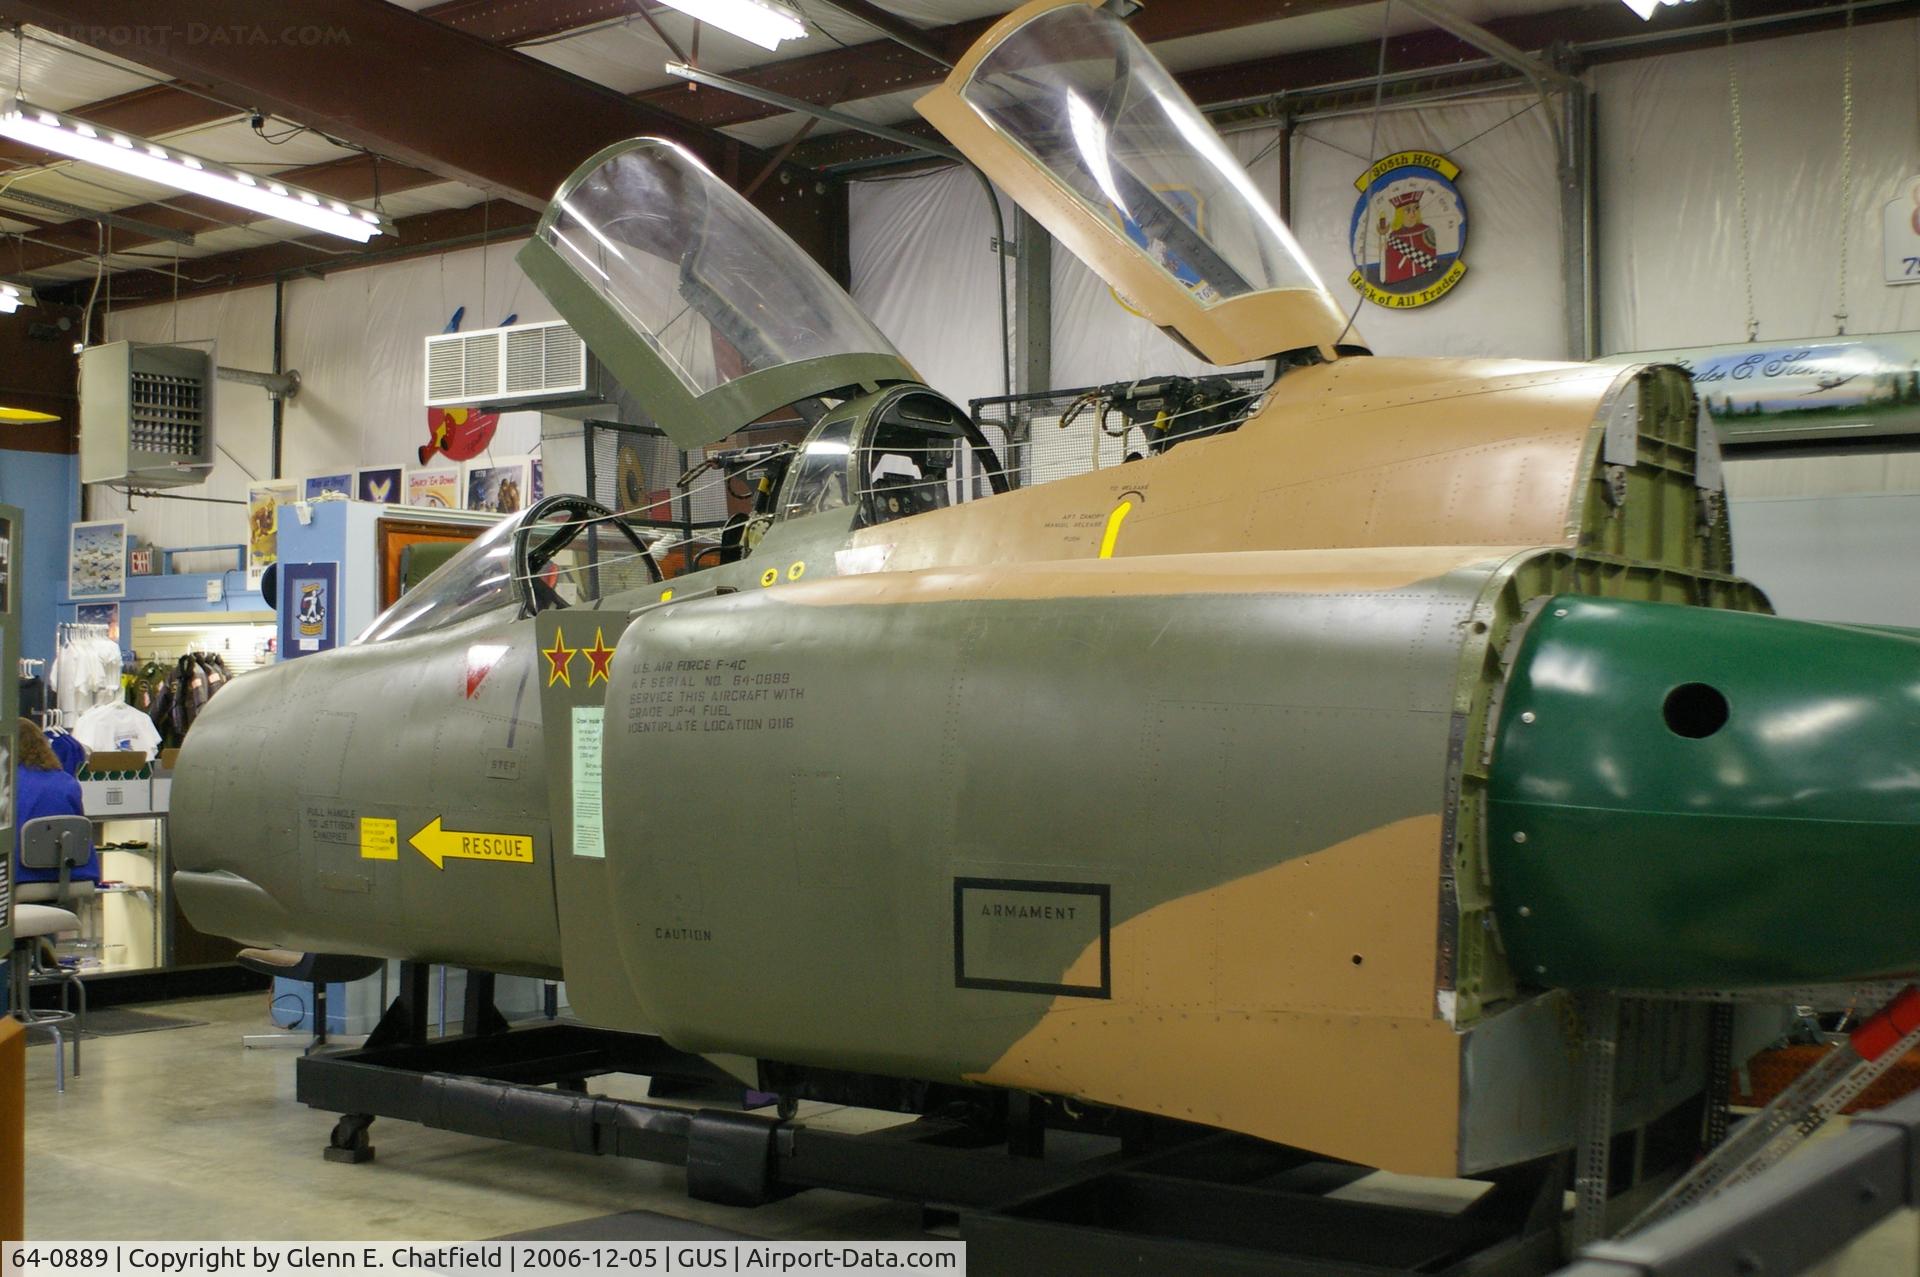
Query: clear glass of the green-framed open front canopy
point(713, 287)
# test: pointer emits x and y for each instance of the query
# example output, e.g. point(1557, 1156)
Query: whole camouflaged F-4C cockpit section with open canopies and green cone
point(1297, 781)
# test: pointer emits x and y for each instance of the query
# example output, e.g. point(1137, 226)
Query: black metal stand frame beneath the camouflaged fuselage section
point(1038, 1186)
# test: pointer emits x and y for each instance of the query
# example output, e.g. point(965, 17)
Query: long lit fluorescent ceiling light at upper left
point(64, 135)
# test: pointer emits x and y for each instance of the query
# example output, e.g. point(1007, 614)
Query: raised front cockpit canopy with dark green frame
point(694, 299)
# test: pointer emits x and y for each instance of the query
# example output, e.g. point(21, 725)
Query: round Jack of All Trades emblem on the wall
point(1408, 231)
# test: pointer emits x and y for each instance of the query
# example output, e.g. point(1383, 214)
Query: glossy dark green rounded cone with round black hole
point(1698, 800)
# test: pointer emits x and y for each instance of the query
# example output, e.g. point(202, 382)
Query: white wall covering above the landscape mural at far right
point(1669, 191)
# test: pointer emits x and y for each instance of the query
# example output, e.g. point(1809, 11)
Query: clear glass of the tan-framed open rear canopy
point(1090, 105)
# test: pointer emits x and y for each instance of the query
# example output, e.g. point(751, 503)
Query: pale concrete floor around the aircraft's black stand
point(187, 1136)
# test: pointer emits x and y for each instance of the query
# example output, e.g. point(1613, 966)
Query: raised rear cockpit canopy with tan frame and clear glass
point(1074, 118)
